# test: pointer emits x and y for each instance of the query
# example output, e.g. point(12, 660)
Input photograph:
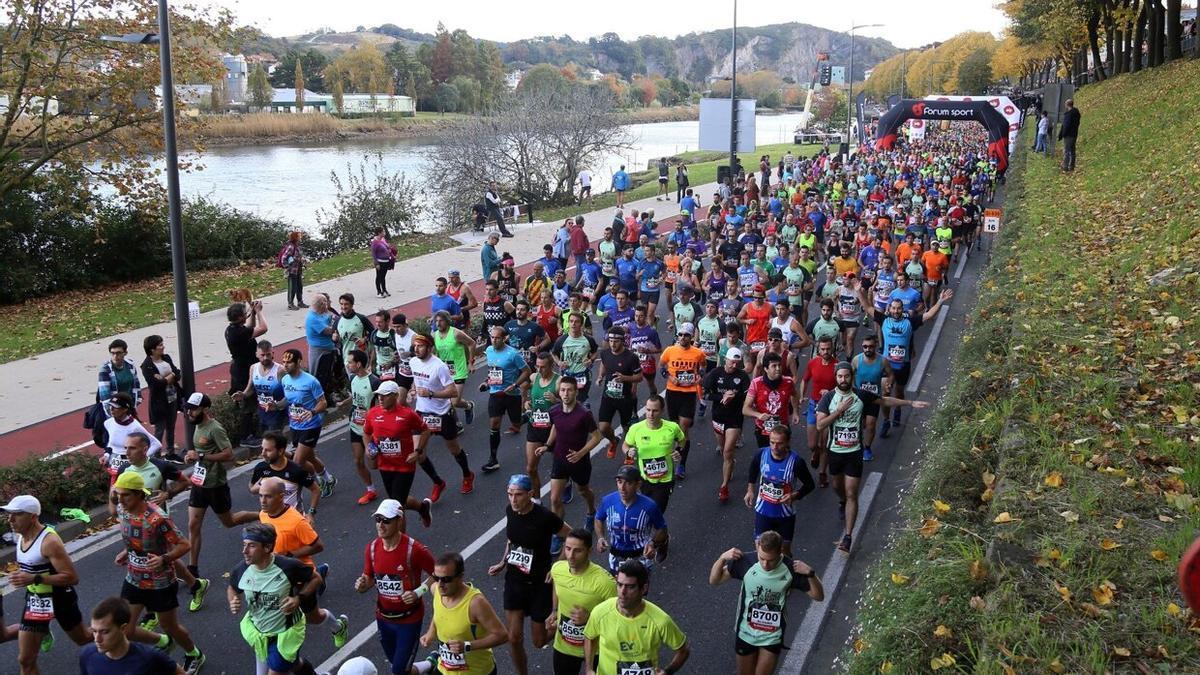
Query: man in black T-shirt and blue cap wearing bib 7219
point(526, 564)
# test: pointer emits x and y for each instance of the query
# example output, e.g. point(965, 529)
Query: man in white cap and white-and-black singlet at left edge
point(49, 577)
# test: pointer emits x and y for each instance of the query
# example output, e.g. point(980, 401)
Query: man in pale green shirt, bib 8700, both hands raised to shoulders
point(763, 602)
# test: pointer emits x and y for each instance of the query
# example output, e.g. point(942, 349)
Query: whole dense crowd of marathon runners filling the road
point(773, 325)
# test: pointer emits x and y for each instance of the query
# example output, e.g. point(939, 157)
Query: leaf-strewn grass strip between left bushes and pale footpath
point(79, 316)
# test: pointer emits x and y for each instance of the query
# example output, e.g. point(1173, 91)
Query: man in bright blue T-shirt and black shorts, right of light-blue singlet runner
point(305, 402)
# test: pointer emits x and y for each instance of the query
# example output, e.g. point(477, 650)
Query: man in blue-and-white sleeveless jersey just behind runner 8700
point(782, 479)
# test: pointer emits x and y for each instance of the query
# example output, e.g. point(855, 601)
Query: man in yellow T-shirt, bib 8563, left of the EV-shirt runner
point(579, 586)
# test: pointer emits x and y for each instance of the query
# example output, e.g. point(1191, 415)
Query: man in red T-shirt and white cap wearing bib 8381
point(388, 431)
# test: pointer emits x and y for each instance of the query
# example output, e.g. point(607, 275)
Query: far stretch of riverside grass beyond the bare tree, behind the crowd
point(701, 171)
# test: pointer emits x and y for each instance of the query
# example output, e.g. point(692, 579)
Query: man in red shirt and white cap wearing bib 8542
point(394, 564)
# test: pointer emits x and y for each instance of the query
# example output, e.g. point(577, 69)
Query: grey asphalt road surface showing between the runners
point(701, 530)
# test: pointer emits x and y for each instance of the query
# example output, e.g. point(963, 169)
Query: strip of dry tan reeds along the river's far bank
point(269, 129)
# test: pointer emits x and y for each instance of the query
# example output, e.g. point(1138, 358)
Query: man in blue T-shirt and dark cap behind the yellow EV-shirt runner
point(629, 524)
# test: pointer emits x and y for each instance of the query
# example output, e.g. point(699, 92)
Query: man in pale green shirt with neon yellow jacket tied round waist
point(272, 588)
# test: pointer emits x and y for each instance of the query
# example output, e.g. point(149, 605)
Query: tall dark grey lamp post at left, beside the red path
point(178, 261)
